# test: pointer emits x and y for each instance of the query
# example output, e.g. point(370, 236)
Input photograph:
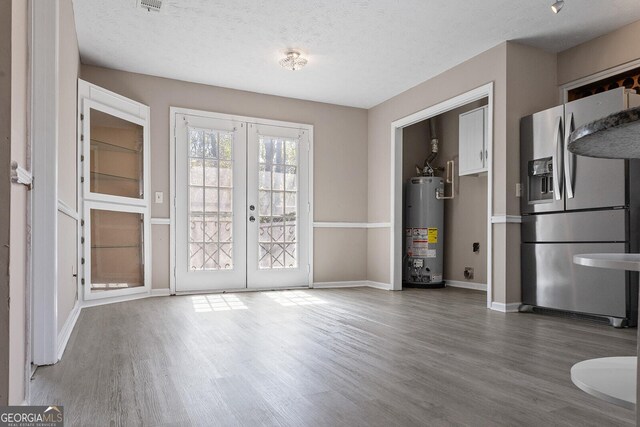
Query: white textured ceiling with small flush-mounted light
point(360, 52)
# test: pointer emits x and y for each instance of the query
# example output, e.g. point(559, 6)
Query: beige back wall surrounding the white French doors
point(340, 161)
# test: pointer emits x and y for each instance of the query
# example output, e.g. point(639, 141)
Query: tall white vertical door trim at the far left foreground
point(44, 166)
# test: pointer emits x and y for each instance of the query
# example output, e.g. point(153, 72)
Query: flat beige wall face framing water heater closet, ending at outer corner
point(489, 66)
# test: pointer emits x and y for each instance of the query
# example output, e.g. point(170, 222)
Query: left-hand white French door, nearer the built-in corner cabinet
point(210, 216)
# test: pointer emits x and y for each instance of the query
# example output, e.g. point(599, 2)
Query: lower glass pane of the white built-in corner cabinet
point(117, 250)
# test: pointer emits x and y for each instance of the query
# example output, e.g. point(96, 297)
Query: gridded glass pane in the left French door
point(210, 160)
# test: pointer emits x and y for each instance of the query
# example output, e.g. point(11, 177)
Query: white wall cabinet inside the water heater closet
point(473, 151)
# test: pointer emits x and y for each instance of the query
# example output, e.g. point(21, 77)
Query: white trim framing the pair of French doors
point(173, 111)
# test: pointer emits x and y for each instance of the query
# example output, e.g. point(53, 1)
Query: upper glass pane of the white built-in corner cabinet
point(116, 158)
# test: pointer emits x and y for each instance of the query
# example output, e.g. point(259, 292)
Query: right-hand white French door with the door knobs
point(278, 207)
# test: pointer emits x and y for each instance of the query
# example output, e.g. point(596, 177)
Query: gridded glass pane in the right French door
point(277, 202)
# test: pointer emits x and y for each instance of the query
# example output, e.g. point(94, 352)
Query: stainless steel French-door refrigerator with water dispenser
point(574, 204)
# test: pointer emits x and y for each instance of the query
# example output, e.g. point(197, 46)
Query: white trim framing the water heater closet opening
point(395, 253)
